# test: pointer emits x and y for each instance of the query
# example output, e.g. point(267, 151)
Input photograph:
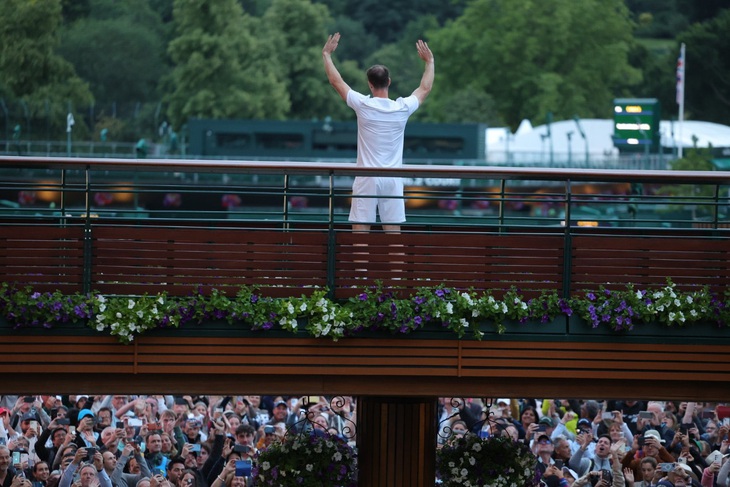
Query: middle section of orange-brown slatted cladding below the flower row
point(303, 356)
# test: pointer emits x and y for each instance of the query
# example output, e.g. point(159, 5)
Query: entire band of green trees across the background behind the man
point(497, 61)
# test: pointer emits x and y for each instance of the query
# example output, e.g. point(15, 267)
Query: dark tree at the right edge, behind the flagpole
point(707, 89)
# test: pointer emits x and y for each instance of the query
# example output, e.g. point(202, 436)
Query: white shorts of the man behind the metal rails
point(369, 195)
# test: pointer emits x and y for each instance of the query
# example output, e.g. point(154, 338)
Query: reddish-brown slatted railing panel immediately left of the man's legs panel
point(136, 260)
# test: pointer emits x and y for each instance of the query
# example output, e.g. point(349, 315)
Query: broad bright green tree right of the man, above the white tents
point(536, 56)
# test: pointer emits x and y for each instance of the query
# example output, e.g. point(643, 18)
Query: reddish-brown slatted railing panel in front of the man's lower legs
point(455, 260)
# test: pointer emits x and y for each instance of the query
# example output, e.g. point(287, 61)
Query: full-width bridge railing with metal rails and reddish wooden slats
point(130, 226)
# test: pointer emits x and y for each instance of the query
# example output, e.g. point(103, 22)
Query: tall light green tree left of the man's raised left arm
point(224, 67)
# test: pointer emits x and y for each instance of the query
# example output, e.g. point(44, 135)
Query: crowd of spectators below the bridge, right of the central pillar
point(604, 443)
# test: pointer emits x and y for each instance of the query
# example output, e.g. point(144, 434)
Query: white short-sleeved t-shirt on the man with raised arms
point(380, 126)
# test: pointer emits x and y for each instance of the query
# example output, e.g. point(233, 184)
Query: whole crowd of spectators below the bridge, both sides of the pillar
point(207, 441)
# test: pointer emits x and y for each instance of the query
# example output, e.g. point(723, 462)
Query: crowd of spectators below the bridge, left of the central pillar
point(151, 441)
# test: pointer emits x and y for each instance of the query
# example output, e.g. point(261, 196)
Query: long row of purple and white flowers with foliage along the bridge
point(374, 308)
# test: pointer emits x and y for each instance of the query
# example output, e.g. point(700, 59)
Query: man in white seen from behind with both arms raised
point(381, 123)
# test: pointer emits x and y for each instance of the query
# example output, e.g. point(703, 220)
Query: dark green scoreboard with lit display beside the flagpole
point(636, 124)
